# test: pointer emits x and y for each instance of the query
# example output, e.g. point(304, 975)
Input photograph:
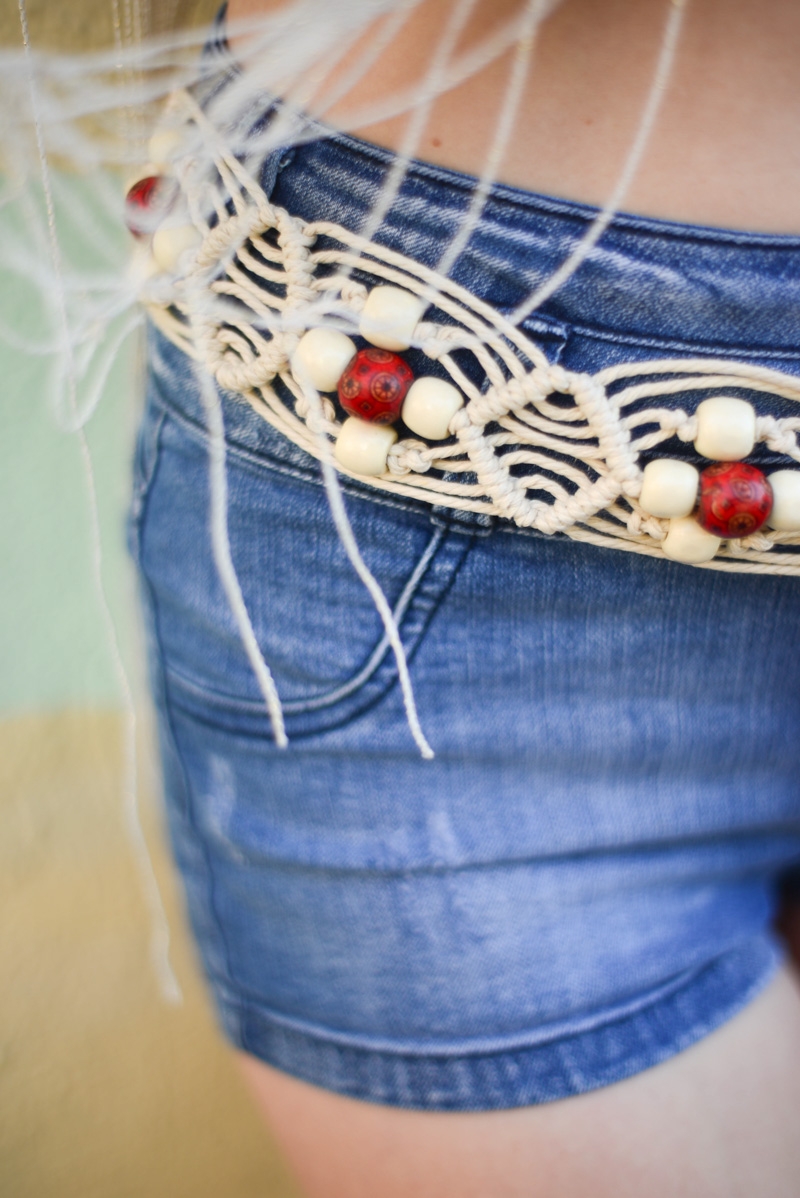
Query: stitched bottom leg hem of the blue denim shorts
point(559, 1069)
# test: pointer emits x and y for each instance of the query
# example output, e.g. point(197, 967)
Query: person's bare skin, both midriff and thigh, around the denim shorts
point(719, 1121)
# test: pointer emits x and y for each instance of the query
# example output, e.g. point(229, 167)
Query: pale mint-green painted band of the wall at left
point(54, 646)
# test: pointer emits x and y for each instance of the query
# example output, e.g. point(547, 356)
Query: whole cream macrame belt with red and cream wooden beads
point(266, 302)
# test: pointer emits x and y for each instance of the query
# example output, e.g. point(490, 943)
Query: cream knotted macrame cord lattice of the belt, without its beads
point(548, 449)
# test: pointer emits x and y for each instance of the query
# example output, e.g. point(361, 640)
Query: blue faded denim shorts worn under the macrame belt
point(583, 882)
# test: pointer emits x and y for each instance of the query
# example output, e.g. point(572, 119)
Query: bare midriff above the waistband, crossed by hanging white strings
point(725, 149)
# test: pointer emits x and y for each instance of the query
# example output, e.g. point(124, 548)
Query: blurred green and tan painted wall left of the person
point(105, 1091)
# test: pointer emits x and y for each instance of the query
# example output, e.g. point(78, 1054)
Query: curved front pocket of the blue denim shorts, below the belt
point(316, 624)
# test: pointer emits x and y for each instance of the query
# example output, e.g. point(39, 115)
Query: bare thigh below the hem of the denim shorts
point(716, 1122)
